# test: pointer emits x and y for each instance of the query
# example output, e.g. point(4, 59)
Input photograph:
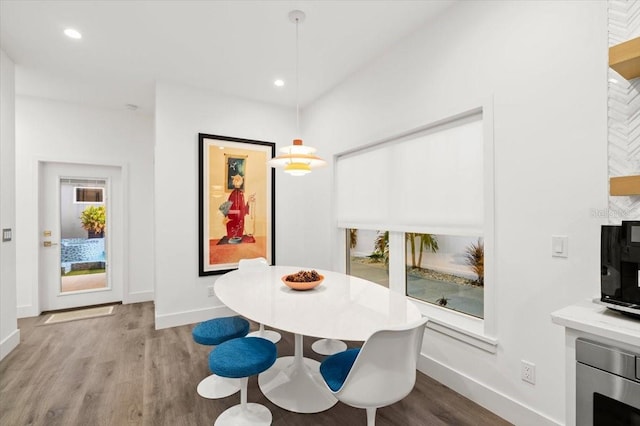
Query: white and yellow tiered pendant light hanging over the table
point(297, 159)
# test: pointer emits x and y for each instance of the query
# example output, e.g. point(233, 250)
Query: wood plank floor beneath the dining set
point(117, 370)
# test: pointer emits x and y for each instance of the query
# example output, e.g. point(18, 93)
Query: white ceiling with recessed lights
point(235, 47)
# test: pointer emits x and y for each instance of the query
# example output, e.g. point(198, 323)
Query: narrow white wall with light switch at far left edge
point(9, 333)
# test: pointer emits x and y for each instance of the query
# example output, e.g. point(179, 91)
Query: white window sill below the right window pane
point(464, 328)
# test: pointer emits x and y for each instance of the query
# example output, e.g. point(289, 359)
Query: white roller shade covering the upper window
point(431, 181)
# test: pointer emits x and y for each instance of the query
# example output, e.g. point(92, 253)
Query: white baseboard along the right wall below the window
point(502, 405)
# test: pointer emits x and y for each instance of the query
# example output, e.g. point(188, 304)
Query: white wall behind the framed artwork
point(182, 113)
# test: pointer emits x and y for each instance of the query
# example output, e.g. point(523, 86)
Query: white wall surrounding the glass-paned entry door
point(49, 130)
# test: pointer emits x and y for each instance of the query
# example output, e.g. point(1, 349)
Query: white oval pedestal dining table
point(342, 307)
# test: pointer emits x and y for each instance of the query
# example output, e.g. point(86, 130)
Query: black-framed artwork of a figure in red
point(236, 202)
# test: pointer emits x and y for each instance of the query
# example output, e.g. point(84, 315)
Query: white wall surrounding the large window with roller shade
point(544, 64)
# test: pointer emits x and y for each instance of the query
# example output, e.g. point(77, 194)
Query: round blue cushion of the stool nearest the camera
point(242, 357)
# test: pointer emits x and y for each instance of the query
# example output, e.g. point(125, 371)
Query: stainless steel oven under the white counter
point(607, 385)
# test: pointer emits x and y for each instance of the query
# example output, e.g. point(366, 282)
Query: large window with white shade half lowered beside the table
point(432, 191)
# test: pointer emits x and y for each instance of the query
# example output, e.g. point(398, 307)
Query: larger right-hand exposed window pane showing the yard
point(447, 271)
